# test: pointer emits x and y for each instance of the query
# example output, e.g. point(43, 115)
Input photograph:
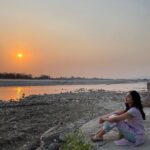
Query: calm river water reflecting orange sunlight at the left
point(7, 93)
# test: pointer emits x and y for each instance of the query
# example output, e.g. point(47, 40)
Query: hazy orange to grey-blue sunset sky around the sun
point(90, 38)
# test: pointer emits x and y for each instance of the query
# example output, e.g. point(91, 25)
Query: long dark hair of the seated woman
point(136, 103)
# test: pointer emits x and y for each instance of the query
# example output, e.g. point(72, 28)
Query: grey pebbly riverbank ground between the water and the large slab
point(22, 123)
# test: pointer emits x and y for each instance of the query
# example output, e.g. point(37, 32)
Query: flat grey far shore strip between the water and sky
point(31, 82)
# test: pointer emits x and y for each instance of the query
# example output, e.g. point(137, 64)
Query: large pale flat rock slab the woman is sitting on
point(108, 144)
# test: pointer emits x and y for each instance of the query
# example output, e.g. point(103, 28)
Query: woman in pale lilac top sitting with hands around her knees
point(129, 122)
